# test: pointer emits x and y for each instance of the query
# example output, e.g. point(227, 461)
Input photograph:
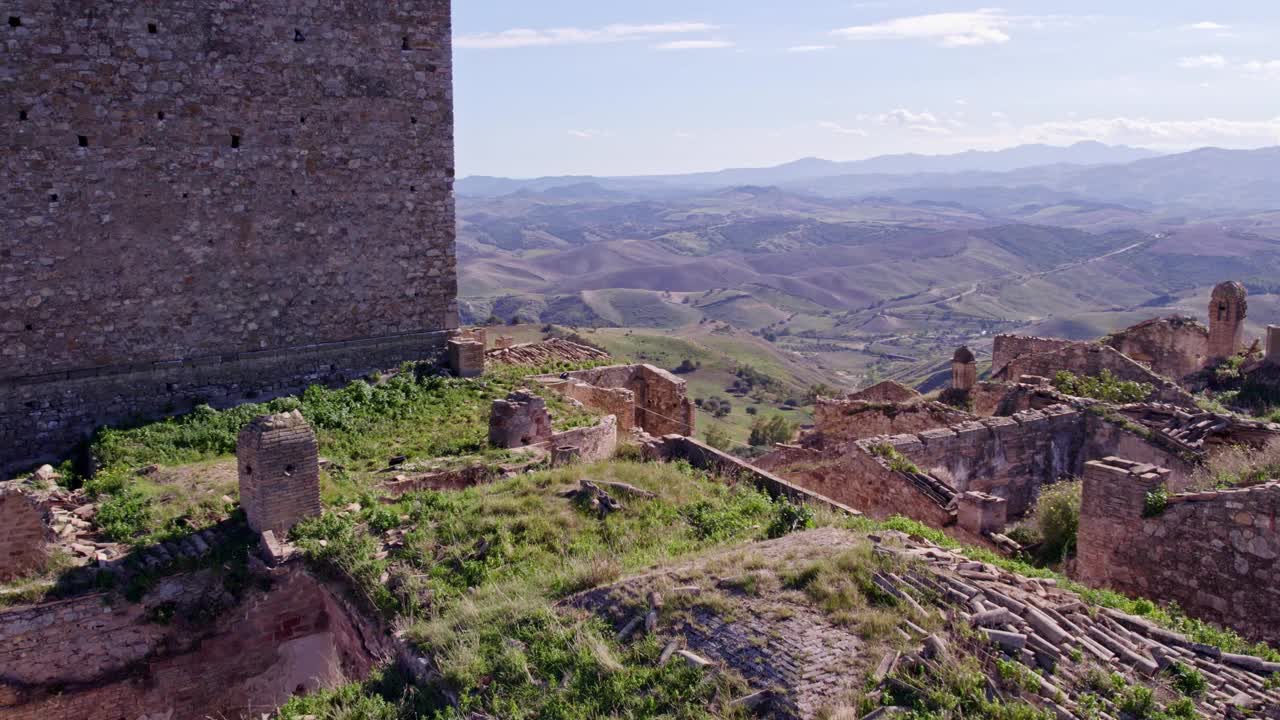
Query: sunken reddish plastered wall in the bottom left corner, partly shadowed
point(85, 658)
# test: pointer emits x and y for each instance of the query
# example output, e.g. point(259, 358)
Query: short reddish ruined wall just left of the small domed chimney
point(853, 420)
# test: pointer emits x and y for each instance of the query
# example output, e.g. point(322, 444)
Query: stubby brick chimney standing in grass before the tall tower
point(280, 472)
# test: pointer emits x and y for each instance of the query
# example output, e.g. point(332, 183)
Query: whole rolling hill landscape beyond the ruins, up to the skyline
point(852, 280)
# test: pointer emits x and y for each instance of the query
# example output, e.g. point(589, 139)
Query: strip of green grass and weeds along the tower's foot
point(359, 429)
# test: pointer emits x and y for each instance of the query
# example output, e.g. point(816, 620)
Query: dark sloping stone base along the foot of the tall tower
point(44, 418)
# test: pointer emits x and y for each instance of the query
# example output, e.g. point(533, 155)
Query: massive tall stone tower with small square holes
point(214, 203)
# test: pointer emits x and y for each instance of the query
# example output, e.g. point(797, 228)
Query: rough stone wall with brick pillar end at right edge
point(1213, 553)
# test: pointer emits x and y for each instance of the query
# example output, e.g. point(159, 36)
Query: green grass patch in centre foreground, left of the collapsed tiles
point(482, 569)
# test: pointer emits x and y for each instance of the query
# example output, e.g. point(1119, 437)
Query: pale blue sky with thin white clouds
point(614, 88)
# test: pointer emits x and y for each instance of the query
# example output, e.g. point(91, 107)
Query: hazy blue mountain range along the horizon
point(1206, 179)
